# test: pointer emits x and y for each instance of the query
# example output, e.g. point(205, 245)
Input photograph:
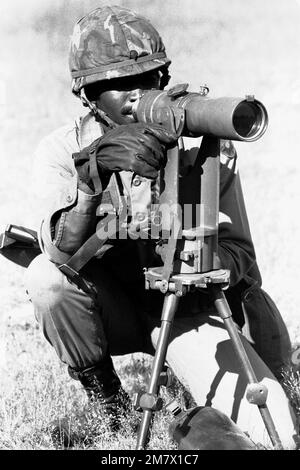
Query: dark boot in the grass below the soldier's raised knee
point(108, 404)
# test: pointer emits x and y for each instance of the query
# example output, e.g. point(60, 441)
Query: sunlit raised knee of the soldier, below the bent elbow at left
point(44, 282)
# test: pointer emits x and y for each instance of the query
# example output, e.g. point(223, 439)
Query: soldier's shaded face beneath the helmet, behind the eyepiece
point(120, 94)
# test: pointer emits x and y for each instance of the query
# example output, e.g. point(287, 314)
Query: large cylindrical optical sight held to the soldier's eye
point(194, 115)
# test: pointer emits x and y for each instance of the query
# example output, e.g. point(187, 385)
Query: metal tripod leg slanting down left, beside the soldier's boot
point(149, 400)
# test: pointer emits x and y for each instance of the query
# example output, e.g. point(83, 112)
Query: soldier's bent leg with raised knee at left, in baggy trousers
point(79, 327)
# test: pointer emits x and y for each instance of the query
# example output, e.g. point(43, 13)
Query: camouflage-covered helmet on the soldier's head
point(111, 42)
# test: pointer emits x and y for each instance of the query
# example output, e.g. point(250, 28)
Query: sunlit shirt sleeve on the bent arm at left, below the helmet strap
point(68, 214)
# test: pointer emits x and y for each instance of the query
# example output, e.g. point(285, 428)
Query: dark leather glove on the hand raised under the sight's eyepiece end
point(140, 148)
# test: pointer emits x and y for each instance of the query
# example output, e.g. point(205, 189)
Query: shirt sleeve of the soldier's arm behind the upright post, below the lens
point(236, 249)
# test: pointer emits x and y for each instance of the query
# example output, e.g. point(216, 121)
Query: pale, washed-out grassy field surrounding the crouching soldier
point(236, 48)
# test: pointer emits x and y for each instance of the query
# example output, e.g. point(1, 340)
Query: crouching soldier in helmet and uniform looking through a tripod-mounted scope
point(115, 56)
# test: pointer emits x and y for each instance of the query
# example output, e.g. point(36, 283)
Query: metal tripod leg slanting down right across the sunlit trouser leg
point(257, 392)
